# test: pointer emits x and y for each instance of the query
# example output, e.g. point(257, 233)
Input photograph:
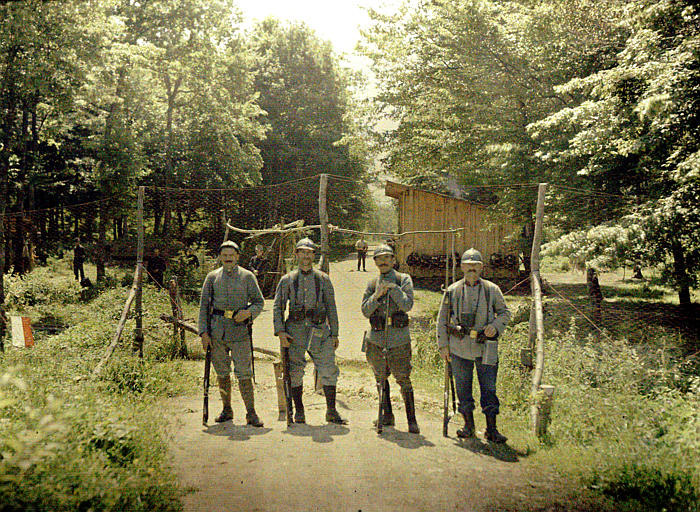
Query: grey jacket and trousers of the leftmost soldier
point(229, 291)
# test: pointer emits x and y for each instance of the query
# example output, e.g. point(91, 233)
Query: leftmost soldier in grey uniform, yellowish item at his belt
point(230, 300)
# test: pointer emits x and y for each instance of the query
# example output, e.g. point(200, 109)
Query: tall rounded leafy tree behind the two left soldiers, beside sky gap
point(306, 97)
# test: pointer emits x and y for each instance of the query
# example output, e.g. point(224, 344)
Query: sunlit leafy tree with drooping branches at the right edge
point(637, 133)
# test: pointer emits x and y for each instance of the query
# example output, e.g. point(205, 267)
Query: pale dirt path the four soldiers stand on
point(324, 467)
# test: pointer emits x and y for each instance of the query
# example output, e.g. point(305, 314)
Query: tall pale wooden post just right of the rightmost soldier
point(538, 425)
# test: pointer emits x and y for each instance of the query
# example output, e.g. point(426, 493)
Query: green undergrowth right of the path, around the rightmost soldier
point(624, 417)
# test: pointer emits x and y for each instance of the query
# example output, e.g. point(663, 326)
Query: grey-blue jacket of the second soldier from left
point(304, 295)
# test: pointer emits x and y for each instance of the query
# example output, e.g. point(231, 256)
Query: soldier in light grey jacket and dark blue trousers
point(472, 316)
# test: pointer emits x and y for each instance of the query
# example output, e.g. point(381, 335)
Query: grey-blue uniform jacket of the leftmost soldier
point(231, 291)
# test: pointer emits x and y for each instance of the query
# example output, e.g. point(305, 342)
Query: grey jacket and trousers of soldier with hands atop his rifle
point(396, 340)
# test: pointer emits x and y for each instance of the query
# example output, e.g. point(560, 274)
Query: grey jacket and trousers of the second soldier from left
point(297, 291)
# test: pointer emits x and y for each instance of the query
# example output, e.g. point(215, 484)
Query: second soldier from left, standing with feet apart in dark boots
point(311, 325)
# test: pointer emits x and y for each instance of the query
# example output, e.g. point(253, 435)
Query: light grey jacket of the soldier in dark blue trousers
point(464, 300)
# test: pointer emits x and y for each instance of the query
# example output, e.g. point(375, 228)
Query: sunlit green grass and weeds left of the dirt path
point(69, 442)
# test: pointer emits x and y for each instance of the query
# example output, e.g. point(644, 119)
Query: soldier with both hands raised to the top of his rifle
point(386, 302)
